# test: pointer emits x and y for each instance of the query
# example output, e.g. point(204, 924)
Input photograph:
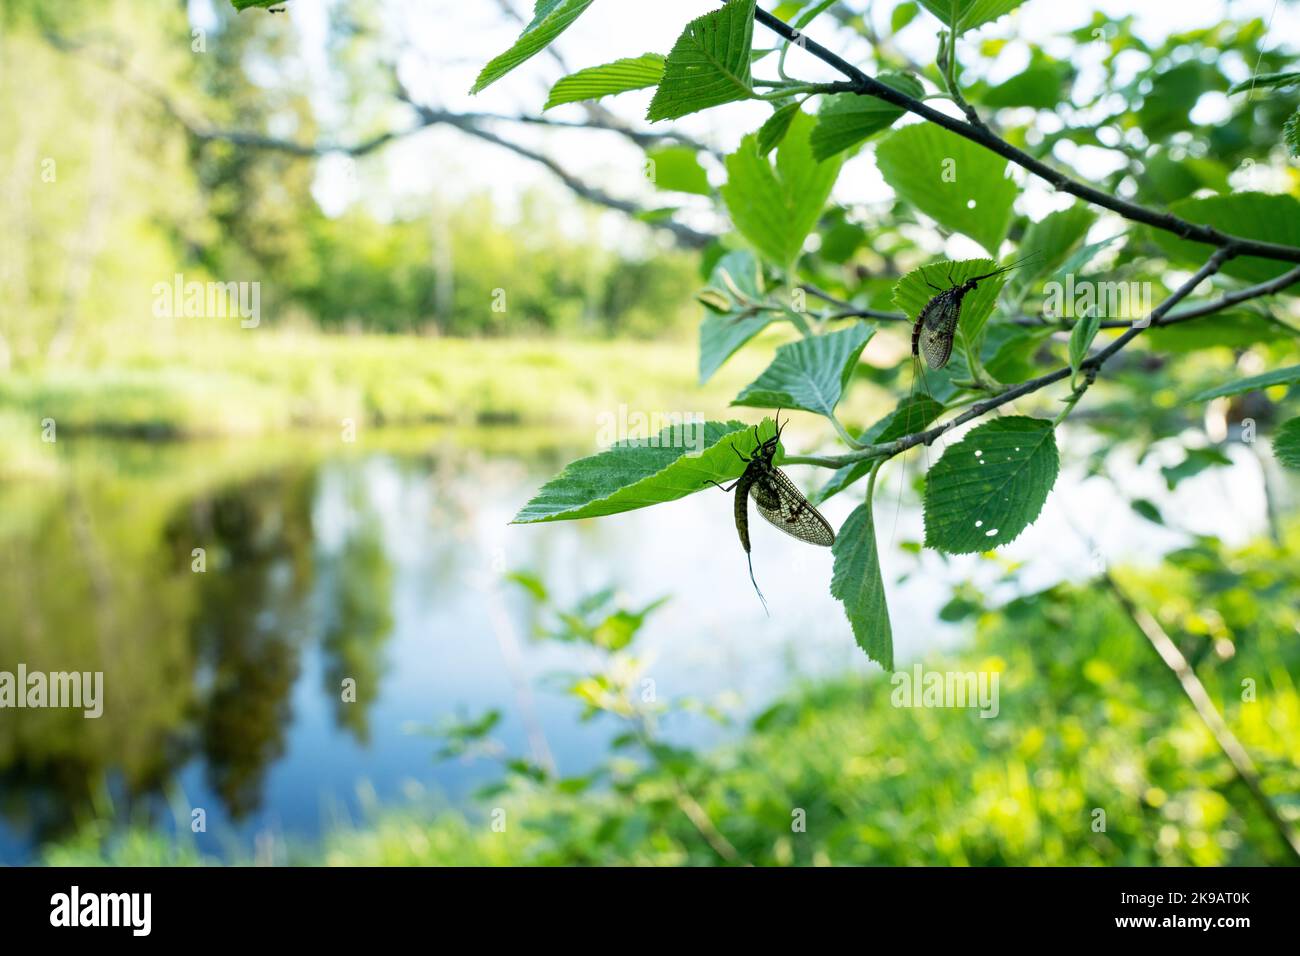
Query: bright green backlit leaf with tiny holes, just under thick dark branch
point(960, 185)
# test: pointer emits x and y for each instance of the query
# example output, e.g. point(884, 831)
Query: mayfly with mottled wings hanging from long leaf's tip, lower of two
point(777, 499)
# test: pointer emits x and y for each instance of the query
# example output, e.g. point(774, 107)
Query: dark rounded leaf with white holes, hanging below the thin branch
point(991, 486)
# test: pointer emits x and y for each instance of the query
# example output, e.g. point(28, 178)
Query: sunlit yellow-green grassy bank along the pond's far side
point(266, 382)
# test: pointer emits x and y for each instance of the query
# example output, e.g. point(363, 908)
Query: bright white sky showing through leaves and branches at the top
point(447, 42)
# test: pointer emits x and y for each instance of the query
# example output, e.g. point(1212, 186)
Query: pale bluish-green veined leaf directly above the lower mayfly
point(811, 375)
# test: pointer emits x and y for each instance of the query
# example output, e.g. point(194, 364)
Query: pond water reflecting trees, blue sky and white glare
point(383, 563)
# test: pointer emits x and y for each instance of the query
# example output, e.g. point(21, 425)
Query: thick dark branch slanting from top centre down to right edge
point(864, 85)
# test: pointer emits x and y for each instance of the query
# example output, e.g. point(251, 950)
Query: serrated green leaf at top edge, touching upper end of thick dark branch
point(709, 66)
